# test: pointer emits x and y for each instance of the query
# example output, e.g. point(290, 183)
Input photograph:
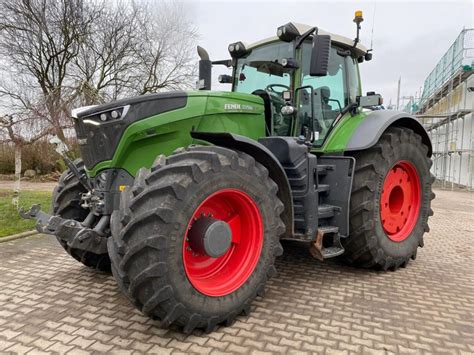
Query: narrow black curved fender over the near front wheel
point(265, 157)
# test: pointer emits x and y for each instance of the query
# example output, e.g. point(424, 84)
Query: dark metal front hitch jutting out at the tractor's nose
point(76, 234)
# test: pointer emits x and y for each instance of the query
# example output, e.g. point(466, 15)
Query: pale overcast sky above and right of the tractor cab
point(409, 37)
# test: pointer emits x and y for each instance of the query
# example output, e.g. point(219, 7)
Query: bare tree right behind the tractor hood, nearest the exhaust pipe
point(136, 48)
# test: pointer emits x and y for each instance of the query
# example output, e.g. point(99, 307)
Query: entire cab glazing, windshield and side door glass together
point(319, 101)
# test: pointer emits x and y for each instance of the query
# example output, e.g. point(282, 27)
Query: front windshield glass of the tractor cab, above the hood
point(262, 67)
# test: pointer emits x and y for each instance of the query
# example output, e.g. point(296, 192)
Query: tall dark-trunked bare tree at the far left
point(39, 40)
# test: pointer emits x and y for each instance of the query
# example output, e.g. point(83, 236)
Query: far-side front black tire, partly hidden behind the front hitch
point(66, 202)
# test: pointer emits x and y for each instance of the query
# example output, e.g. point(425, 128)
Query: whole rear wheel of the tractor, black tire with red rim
point(390, 201)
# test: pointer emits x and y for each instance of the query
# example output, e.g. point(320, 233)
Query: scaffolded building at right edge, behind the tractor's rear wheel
point(446, 109)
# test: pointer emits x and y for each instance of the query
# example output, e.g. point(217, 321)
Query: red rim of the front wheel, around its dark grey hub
point(225, 274)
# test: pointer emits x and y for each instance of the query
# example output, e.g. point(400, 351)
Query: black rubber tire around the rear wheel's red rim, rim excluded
point(369, 245)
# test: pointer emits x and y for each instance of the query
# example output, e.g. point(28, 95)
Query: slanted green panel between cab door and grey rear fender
point(341, 134)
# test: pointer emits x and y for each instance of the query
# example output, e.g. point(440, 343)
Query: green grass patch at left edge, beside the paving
point(10, 221)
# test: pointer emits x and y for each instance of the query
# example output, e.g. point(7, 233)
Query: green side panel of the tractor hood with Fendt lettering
point(205, 111)
